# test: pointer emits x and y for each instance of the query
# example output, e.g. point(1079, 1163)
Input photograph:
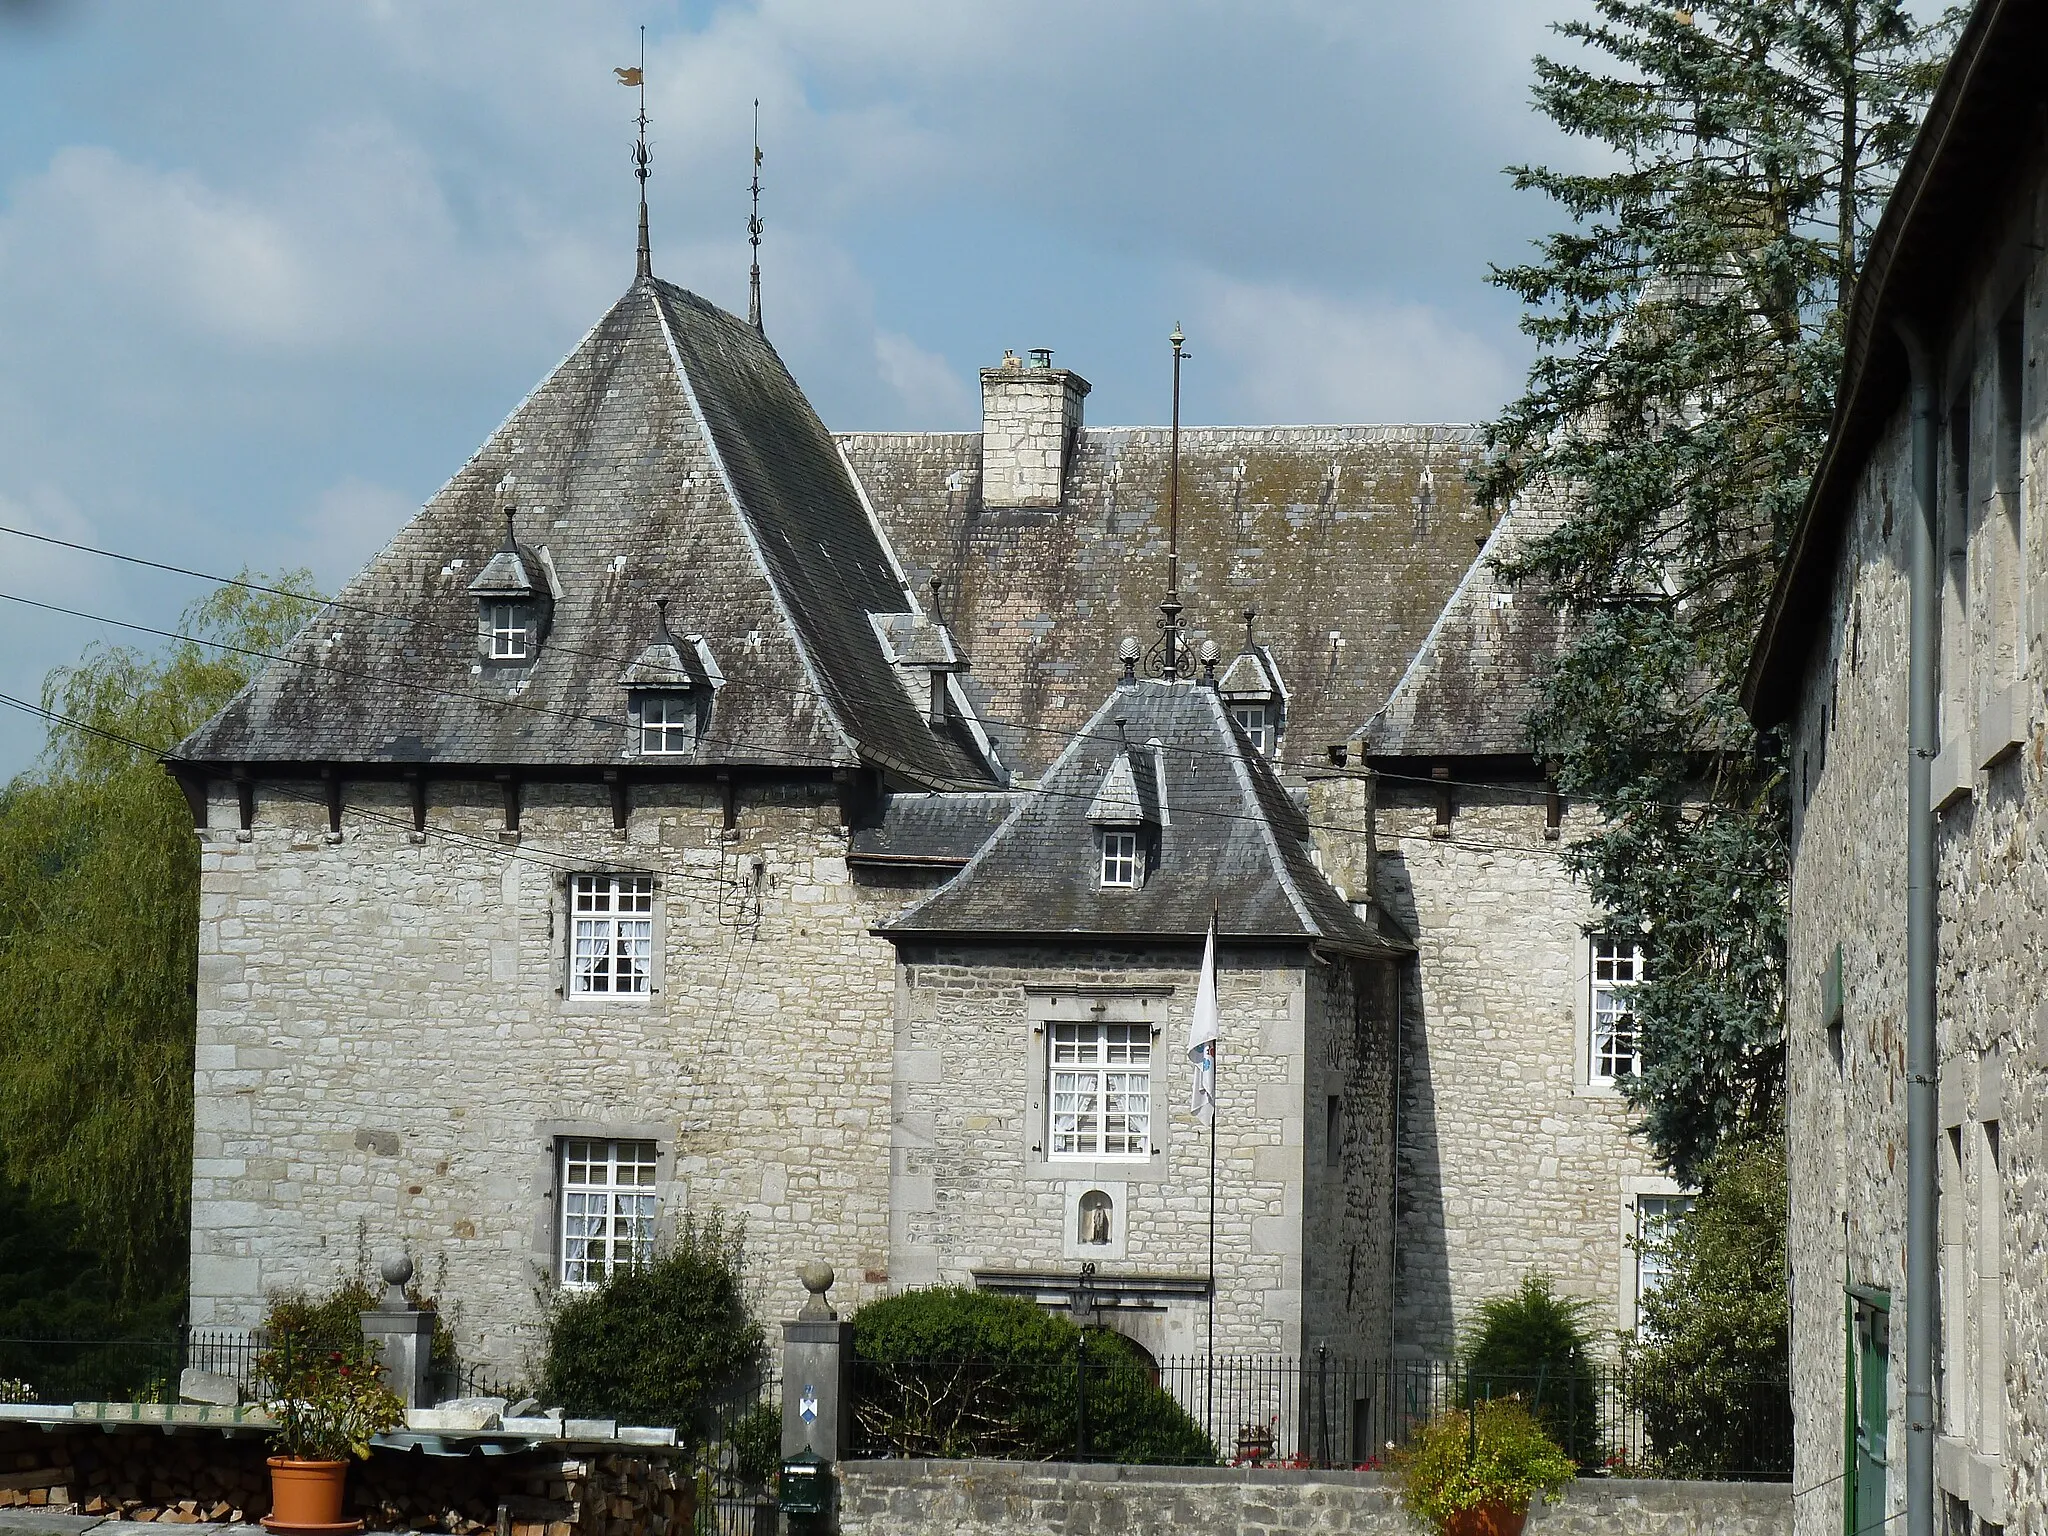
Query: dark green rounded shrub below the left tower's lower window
point(654, 1345)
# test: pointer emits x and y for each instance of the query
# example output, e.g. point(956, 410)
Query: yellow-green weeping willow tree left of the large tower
point(99, 912)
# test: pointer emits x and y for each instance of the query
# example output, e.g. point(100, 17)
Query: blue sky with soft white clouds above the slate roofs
point(271, 273)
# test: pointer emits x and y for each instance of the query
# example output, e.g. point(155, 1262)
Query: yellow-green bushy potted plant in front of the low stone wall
point(1474, 1471)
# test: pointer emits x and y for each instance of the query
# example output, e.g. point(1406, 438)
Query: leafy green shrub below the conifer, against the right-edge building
point(1711, 1355)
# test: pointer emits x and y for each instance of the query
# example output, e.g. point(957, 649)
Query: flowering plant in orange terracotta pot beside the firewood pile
point(329, 1400)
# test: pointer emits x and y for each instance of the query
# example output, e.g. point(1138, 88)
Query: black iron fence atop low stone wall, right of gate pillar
point(1310, 1412)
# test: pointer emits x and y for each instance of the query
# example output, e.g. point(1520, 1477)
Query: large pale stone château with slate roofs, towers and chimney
point(693, 810)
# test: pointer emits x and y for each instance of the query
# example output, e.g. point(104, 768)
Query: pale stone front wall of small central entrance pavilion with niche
point(974, 1187)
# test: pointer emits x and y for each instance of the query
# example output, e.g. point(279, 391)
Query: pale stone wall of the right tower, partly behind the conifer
point(1510, 1158)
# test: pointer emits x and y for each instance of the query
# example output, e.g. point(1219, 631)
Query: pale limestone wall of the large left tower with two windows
point(386, 1054)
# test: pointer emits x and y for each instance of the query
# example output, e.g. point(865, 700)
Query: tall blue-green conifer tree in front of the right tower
point(1689, 329)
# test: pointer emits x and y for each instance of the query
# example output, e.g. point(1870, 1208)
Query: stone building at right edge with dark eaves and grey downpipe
point(1955, 275)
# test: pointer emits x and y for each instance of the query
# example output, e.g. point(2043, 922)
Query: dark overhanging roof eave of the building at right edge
point(1979, 134)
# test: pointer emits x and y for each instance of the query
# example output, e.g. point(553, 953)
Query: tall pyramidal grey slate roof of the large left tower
point(669, 456)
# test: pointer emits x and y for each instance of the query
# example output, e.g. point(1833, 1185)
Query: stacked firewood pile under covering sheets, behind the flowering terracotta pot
point(146, 1476)
